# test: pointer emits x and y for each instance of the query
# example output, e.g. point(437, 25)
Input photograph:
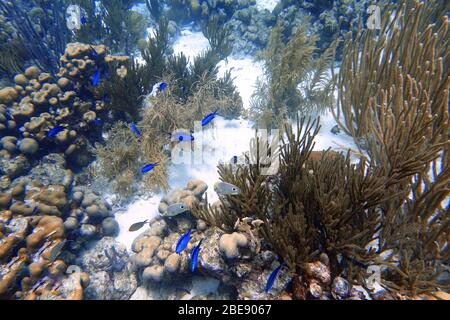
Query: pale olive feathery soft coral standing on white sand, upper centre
point(295, 81)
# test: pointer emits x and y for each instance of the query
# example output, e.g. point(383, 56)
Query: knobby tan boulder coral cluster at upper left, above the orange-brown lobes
point(40, 102)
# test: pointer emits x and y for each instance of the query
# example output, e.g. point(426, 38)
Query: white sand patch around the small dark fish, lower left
point(137, 211)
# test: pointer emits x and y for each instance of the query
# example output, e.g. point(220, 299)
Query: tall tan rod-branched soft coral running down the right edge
point(393, 98)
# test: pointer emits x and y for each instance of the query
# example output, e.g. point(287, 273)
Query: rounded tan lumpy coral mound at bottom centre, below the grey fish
point(158, 266)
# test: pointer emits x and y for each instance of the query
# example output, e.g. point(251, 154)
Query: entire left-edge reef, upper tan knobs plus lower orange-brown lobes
point(45, 220)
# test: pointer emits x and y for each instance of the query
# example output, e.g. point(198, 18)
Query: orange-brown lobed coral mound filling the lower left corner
point(43, 221)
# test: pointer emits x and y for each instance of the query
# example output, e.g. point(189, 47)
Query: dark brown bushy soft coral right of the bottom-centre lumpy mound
point(329, 206)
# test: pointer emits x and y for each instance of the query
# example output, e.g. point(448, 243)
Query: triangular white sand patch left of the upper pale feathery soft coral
point(246, 72)
